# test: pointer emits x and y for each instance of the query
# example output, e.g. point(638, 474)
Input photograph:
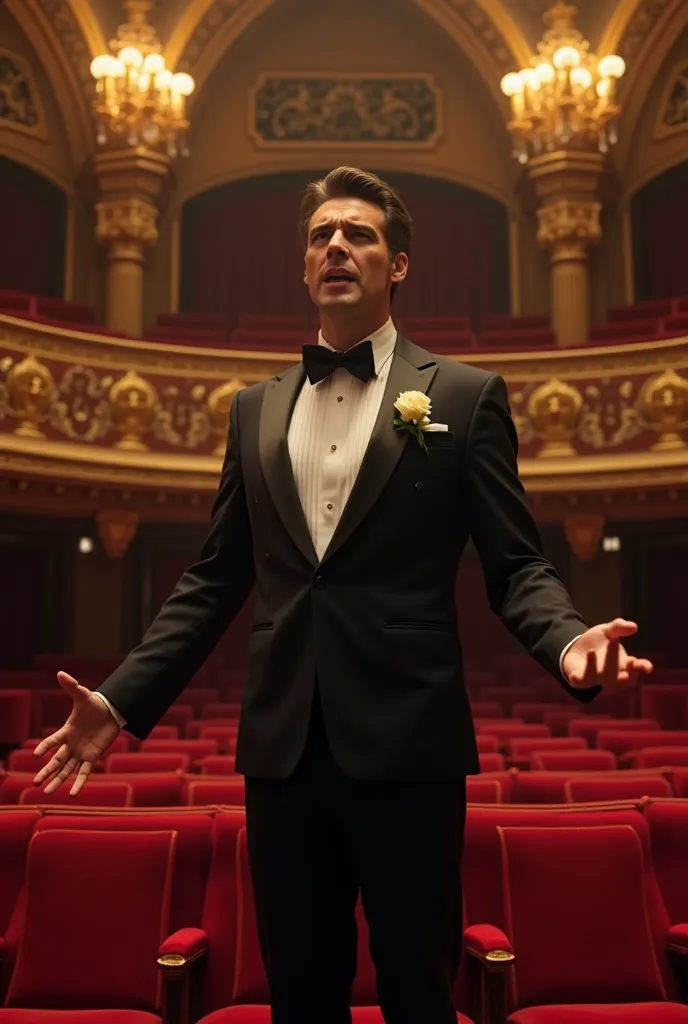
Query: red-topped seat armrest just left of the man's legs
point(181, 959)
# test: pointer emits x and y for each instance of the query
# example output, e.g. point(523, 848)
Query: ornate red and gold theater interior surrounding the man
point(152, 160)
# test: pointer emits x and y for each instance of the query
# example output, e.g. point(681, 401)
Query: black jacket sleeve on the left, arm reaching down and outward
point(208, 596)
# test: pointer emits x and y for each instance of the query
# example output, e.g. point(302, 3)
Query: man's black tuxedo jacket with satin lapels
point(374, 621)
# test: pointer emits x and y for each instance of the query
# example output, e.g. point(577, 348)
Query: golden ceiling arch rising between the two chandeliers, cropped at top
point(484, 30)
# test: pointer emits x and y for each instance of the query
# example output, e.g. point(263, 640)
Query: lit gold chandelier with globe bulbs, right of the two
point(567, 98)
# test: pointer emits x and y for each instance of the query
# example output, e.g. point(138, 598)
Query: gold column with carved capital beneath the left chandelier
point(134, 186)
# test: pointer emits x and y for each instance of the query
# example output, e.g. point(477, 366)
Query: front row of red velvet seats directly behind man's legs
point(574, 916)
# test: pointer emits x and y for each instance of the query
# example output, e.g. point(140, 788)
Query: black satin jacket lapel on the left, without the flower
point(279, 401)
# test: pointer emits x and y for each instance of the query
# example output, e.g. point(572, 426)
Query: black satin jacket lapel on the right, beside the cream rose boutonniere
point(412, 370)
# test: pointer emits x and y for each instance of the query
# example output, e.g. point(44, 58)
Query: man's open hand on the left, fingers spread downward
point(82, 741)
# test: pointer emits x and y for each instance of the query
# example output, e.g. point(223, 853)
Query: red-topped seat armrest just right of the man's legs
point(490, 956)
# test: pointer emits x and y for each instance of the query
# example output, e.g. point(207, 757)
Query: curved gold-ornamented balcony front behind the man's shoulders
point(113, 417)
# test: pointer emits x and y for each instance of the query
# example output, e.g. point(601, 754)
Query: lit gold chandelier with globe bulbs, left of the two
point(140, 102)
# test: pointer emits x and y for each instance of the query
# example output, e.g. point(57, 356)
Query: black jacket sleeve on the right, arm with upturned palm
point(524, 587)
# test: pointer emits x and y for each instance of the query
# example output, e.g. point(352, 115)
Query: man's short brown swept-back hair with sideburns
point(352, 183)
